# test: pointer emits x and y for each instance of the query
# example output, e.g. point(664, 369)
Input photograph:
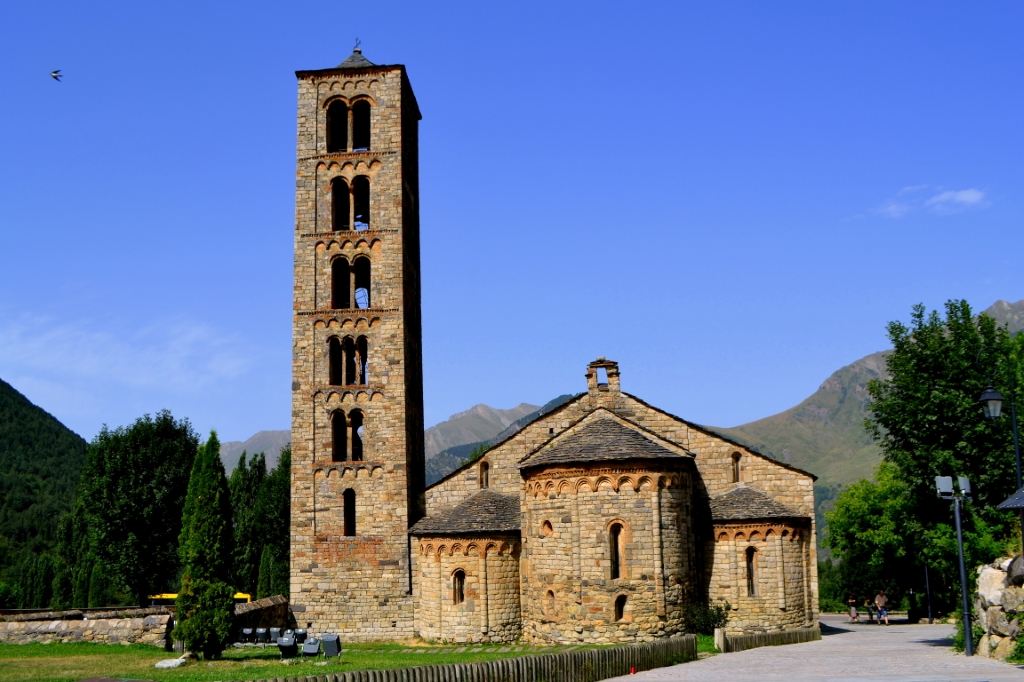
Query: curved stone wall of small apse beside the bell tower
point(491, 611)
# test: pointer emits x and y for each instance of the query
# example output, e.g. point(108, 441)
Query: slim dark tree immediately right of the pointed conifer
point(245, 484)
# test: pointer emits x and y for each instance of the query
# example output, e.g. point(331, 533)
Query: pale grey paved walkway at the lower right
point(847, 653)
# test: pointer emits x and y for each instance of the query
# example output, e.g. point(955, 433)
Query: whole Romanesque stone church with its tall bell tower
point(600, 522)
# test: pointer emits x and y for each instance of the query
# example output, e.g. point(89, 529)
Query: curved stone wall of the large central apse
point(568, 514)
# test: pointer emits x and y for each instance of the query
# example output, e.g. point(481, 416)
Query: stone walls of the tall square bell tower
point(358, 586)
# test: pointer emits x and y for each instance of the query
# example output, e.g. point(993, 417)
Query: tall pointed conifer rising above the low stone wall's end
point(205, 604)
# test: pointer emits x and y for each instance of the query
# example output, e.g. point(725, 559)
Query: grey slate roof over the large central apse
point(602, 440)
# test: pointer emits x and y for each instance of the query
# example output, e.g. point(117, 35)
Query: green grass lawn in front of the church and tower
point(66, 663)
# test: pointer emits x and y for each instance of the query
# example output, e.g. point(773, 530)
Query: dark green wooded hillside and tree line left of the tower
point(101, 524)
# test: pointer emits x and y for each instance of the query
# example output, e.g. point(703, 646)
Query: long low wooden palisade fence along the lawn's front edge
point(579, 666)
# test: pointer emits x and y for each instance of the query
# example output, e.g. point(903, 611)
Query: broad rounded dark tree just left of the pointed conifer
point(134, 489)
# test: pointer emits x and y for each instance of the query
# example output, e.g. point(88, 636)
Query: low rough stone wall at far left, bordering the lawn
point(153, 630)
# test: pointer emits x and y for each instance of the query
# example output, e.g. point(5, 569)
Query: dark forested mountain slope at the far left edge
point(40, 463)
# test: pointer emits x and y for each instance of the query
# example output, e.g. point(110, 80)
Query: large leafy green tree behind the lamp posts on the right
point(927, 419)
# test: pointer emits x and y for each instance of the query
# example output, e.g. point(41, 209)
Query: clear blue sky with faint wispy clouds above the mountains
point(730, 199)
